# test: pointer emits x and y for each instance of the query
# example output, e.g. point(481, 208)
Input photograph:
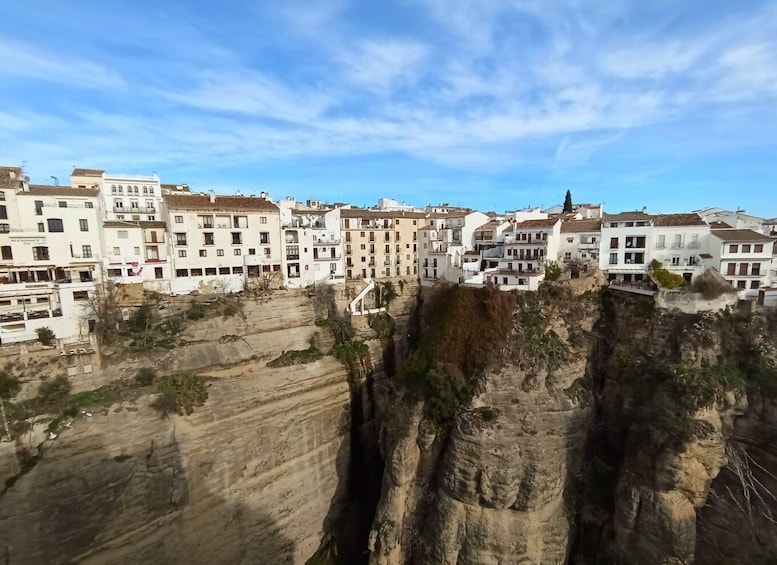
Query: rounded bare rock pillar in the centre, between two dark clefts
point(494, 487)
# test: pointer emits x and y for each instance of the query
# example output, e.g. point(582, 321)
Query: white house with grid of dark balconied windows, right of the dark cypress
point(626, 239)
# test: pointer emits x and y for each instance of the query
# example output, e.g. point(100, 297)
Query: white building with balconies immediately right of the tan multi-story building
point(444, 244)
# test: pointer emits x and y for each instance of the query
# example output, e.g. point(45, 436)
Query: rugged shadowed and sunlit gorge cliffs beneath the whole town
point(576, 424)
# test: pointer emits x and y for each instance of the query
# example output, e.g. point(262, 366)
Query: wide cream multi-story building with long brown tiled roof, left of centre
point(218, 242)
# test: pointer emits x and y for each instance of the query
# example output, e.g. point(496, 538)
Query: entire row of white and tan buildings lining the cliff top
point(59, 243)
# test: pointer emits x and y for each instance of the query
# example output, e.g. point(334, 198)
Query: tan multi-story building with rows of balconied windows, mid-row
point(380, 243)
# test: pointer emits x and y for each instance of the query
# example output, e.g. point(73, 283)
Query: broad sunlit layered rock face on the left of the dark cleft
point(253, 476)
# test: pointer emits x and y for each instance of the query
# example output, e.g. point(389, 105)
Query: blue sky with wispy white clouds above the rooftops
point(495, 104)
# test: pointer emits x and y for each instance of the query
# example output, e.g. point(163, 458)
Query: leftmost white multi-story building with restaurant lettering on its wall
point(50, 256)
